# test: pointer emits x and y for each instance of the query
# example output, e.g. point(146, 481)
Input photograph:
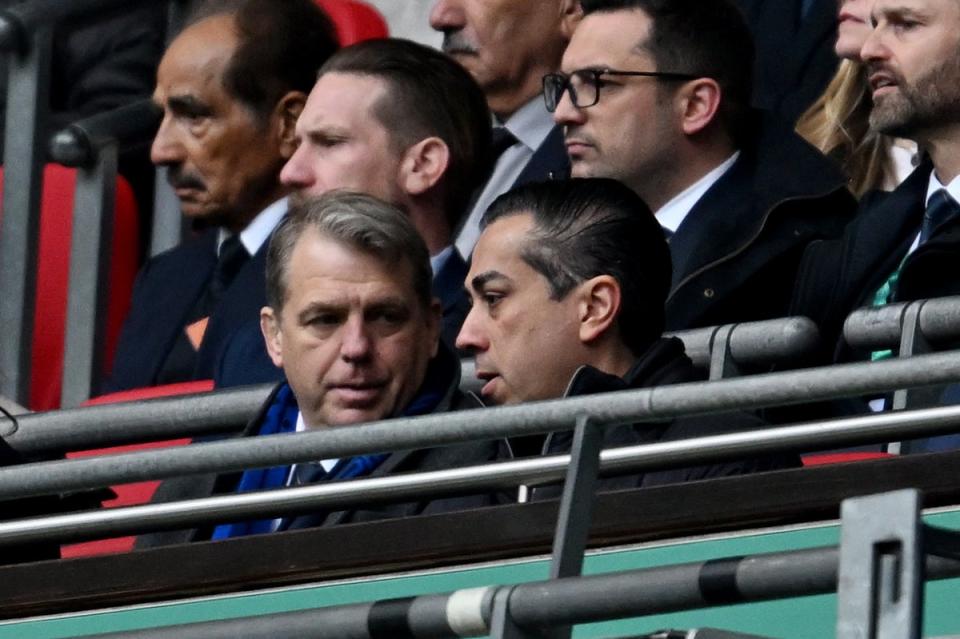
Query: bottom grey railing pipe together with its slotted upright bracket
point(869, 569)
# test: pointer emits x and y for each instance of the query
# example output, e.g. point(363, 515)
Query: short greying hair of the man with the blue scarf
point(359, 221)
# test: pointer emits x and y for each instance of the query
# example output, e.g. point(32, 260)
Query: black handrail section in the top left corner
point(17, 22)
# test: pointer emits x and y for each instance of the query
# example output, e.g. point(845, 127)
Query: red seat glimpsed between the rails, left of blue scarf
point(130, 494)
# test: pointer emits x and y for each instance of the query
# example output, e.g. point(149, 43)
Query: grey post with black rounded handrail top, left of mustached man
point(93, 146)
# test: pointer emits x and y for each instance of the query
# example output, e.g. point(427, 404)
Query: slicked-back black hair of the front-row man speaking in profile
point(585, 227)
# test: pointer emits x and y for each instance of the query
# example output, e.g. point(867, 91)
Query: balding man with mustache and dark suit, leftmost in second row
point(231, 86)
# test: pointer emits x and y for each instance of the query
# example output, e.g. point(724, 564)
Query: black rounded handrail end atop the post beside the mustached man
point(129, 126)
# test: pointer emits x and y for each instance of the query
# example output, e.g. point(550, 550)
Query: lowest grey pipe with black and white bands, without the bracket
point(543, 604)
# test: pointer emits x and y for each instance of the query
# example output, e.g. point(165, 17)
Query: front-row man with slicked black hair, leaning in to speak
point(568, 282)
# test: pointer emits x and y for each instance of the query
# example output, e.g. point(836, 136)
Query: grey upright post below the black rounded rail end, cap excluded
point(87, 292)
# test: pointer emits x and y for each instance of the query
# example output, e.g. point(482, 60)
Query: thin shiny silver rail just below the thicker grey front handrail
point(272, 503)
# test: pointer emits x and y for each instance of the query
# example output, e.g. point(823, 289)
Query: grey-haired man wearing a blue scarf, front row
point(352, 322)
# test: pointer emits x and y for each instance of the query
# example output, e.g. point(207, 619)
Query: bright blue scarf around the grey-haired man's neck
point(281, 417)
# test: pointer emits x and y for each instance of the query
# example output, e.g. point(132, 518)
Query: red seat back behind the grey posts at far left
point(50, 314)
